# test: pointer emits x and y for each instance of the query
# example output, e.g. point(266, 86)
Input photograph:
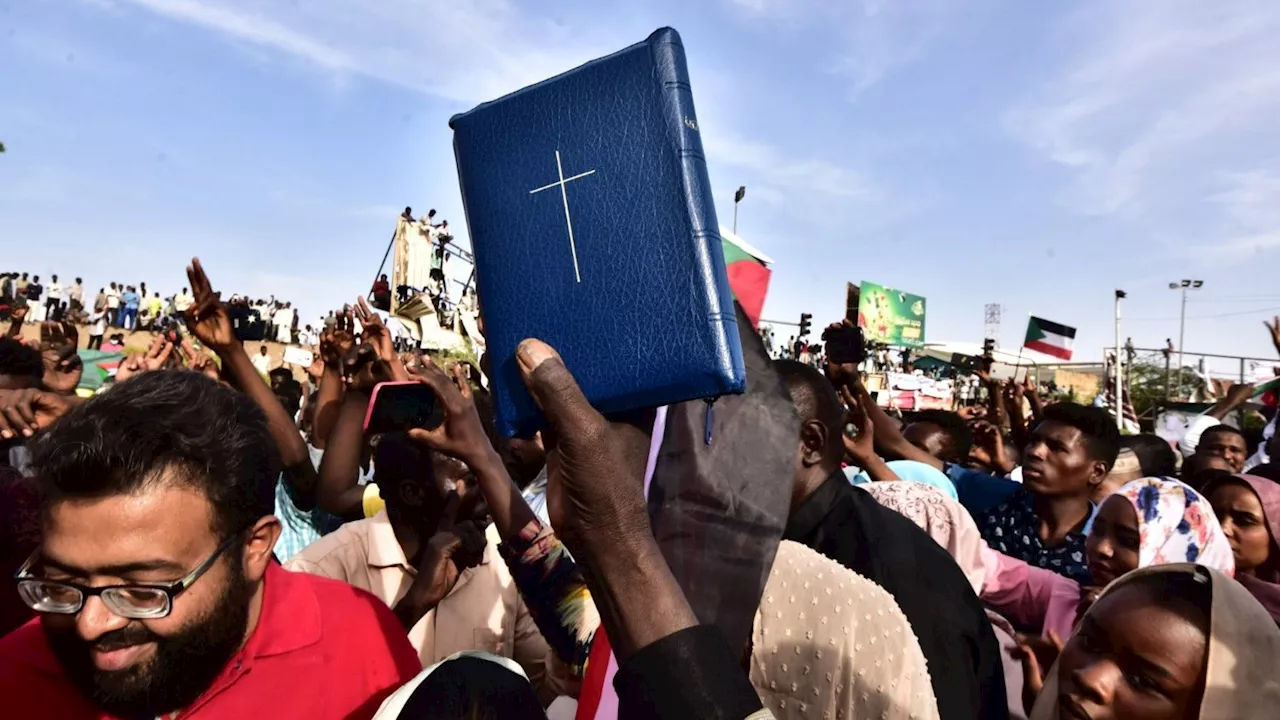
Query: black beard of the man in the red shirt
point(184, 667)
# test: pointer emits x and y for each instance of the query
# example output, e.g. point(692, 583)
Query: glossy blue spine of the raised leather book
point(678, 99)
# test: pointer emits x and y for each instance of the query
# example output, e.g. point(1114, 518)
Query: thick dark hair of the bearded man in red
point(168, 426)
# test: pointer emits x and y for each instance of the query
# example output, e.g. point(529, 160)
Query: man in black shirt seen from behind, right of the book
point(852, 528)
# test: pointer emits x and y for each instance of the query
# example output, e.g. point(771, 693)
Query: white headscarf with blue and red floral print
point(1177, 525)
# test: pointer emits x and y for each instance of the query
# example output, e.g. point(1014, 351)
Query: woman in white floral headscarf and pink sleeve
point(1148, 522)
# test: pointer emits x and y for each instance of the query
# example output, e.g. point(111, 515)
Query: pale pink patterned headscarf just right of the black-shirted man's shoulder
point(945, 520)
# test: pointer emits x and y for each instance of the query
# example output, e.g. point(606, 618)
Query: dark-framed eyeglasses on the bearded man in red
point(144, 601)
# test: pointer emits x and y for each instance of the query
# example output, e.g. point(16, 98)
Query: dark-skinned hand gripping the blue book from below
point(595, 467)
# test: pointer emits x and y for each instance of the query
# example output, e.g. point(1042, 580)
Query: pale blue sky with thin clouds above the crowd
point(1028, 154)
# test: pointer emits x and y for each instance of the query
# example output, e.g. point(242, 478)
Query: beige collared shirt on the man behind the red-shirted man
point(483, 613)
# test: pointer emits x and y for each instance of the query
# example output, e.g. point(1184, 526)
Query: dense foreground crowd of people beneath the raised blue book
point(190, 544)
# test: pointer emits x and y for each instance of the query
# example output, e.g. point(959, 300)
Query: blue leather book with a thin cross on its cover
point(593, 226)
